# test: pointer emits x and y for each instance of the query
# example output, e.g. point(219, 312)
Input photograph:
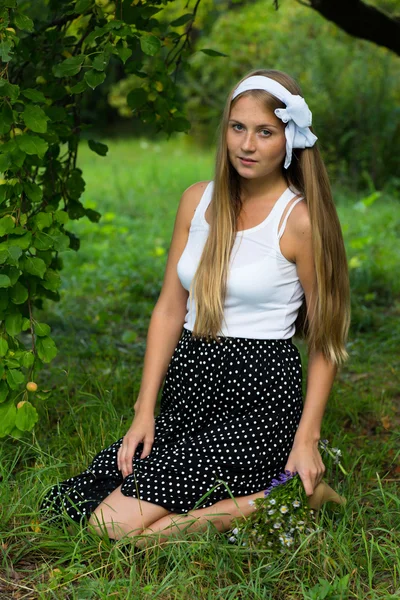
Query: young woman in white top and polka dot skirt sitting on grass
point(256, 256)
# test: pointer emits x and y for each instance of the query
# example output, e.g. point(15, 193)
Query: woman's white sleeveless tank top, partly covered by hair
point(264, 293)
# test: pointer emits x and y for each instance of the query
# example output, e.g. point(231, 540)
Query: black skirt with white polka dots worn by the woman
point(229, 411)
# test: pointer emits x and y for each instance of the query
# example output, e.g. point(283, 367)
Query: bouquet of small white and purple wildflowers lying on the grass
point(282, 518)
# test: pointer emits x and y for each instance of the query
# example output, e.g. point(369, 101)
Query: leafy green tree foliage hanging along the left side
point(48, 62)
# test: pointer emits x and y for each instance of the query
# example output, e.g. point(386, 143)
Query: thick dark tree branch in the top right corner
point(361, 20)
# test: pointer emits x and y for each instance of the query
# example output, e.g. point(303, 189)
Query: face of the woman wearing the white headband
point(256, 139)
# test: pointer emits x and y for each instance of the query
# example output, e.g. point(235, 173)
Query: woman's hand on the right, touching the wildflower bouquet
point(306, 460)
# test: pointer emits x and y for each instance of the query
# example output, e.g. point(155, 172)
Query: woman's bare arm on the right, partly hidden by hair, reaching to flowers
point(304, 456)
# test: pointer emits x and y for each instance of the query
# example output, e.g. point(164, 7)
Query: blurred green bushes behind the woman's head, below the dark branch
point(351, 86)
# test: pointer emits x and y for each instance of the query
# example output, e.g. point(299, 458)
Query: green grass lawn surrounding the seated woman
point(109, 289)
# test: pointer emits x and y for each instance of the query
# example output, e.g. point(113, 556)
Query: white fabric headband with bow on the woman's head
point(297, 115)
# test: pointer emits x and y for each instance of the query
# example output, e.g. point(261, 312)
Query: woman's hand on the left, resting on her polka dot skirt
point(141, 430)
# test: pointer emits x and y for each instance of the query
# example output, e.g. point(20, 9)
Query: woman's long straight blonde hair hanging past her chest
point(326, 329)
